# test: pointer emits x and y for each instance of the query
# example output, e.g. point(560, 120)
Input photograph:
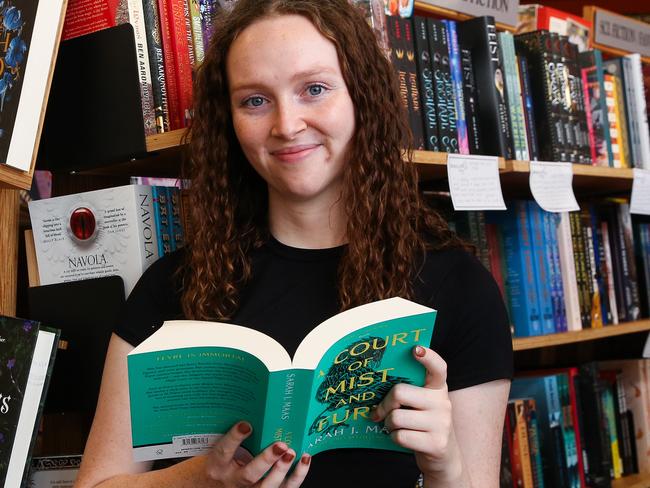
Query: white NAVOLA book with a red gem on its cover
point(94, 234)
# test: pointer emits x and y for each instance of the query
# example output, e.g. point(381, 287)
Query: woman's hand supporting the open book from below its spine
point(228, 465)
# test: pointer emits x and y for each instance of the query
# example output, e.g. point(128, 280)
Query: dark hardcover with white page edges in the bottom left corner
point(26, 356)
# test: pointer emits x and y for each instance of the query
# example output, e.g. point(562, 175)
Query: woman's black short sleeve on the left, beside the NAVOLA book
point(154, 299)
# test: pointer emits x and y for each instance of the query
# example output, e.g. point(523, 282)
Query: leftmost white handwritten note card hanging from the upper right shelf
point(474, 182)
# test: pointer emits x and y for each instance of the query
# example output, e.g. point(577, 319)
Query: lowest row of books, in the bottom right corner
point(577, 427)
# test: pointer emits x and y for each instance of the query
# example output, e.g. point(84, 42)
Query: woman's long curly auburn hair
point(388, 228)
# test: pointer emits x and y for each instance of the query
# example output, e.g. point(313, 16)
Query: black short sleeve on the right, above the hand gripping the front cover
point(472, 331)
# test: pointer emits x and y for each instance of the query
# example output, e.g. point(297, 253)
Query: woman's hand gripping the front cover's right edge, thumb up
point(420, 418)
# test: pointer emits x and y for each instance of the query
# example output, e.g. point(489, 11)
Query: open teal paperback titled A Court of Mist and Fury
point(191, 381)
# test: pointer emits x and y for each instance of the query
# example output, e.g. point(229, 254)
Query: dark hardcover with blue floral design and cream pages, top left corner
point(29, 39)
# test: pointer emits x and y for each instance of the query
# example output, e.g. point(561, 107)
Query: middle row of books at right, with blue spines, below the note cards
point(564, 271)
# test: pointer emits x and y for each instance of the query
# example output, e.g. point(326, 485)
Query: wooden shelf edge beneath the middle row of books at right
point(550, 340)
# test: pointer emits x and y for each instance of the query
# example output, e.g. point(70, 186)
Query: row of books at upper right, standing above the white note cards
point(472, 90)
